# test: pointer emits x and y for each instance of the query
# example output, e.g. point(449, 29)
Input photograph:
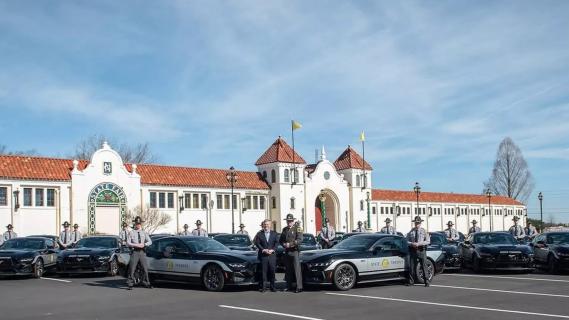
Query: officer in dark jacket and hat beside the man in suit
point(290, 239)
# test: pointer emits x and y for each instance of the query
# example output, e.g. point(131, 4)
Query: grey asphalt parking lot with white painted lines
point(451, 296)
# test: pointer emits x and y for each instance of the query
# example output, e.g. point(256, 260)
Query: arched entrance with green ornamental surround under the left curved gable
point(107, 208)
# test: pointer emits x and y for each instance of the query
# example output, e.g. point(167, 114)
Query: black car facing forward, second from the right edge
point(495, 251)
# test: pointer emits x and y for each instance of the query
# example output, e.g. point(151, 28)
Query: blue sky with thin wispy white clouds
point(435, 85)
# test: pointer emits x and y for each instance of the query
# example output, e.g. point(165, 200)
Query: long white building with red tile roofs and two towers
point(38, 194)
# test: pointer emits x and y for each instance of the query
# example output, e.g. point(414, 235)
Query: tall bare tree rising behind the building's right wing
point(511, 176)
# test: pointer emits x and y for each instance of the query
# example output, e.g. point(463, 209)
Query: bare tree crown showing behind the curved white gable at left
point(139, 153)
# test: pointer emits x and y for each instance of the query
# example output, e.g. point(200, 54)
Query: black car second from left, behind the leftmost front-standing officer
point(97, 254)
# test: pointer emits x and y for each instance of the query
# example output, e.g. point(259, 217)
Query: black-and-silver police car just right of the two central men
point(367, 257)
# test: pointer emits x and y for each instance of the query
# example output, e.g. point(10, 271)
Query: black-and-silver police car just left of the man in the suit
point(200, 260)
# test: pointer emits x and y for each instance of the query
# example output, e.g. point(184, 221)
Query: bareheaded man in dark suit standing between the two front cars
point(266, 241)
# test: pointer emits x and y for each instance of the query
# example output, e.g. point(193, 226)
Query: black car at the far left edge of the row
point(28, 256)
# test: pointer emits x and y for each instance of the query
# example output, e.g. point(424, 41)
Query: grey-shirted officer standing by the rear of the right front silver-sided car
point(418, 239)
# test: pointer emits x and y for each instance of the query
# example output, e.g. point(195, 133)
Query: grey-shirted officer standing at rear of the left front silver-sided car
point(138, 240)
